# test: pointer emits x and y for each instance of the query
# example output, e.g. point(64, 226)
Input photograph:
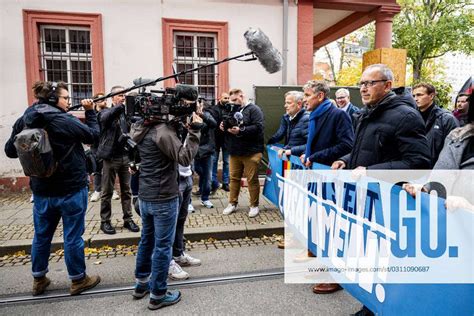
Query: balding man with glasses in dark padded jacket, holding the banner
point(390, 133)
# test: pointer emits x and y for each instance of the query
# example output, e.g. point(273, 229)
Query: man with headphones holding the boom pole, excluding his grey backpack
point(63, 195)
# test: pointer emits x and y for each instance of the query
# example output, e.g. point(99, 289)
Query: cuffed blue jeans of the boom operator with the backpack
point(47, 211)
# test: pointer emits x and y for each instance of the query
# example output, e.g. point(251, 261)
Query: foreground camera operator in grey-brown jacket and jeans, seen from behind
point(160, 150)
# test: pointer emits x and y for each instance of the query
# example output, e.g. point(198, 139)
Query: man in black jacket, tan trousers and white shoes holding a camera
point(246, 150)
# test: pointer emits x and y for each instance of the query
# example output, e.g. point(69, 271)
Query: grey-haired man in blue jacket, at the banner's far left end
point(293, 126)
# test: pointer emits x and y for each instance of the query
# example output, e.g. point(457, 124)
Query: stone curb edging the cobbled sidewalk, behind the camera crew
point(193, 234)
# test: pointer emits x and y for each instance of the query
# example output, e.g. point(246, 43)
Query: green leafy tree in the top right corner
point(428, 29)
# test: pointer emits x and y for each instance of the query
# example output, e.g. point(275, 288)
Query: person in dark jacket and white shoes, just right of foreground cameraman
point(203, 159)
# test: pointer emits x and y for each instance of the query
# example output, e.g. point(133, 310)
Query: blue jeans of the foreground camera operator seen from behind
point(154, 250)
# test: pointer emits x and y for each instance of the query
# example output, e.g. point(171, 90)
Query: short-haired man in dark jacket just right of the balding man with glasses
point(438, 122)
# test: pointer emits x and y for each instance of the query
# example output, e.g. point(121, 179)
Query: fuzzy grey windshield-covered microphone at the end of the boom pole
point(260, 45)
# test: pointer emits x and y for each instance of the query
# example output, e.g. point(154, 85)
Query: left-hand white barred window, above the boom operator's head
point(66, 55)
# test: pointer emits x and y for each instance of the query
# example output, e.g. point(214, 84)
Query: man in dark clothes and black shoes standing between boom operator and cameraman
point(112, 149)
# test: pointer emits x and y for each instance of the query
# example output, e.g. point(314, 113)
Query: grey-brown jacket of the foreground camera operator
point(160, 151)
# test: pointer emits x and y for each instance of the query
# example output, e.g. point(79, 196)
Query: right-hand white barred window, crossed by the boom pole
point(193, 50)
